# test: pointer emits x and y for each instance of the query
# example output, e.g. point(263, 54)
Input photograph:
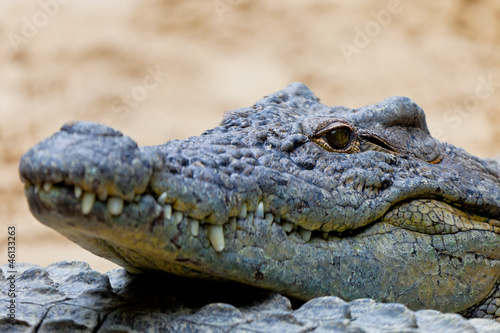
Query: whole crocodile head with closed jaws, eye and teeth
point(289, 195)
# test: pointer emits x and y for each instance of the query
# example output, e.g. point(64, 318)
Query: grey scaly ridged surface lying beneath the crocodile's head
point(120, 302)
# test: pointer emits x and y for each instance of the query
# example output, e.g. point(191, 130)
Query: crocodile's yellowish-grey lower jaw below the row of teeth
point(261, 252)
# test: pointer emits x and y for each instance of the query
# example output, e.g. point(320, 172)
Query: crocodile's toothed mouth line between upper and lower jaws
point(215, 232)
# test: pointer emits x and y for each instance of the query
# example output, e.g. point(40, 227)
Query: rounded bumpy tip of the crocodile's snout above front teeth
point(93, 158)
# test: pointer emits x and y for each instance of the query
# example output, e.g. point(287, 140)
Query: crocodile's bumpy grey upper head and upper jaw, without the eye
point(266, 154)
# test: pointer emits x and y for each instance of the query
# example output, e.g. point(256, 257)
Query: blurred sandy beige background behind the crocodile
point(158, 70)
